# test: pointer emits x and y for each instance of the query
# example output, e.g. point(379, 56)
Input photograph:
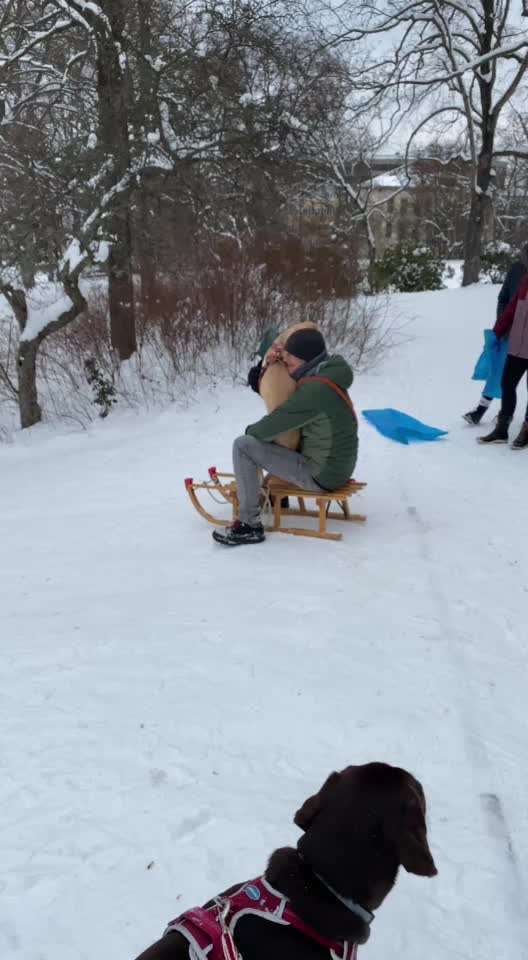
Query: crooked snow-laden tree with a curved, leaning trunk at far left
point(59, 191)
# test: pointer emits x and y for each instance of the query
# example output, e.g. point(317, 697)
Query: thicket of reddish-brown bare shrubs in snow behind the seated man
point(193, 329)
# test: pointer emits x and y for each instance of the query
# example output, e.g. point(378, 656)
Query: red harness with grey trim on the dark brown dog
point(210, 930)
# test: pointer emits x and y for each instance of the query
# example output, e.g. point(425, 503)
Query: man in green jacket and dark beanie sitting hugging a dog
point(321, 410)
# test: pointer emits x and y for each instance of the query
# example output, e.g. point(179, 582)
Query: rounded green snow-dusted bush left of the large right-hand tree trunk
point(408, 268)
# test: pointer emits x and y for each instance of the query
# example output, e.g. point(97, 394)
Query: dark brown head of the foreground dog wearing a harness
point(374, 811)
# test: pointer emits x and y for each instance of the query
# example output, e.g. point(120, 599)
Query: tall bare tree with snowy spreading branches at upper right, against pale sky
point(464, 62)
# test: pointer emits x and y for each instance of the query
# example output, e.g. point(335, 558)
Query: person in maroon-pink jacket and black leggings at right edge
point(513, 322)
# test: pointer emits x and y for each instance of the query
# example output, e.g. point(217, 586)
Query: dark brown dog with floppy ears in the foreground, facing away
point(362, 825)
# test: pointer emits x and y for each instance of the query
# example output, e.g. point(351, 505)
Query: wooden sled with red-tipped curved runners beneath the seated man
point(221, 488)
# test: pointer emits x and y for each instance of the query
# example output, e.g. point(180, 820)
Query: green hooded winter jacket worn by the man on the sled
point(328, 427)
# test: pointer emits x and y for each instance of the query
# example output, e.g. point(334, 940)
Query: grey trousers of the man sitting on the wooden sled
point(249, 454)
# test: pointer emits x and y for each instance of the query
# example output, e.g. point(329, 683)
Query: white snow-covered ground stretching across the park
point(166, 705)
